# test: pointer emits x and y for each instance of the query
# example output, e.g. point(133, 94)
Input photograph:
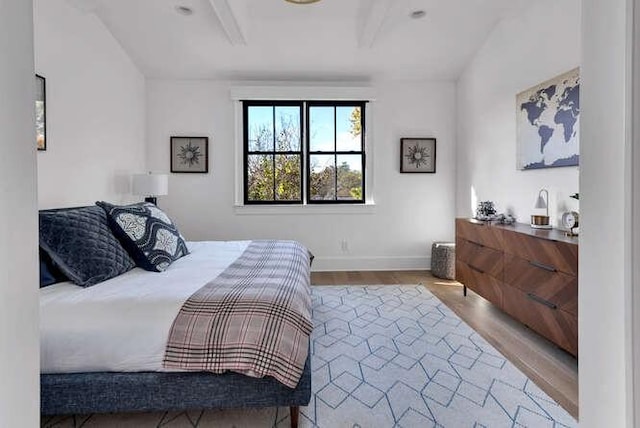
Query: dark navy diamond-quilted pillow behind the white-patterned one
point(81, 245)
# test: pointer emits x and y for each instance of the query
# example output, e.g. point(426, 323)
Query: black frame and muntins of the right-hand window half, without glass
point(335, 152)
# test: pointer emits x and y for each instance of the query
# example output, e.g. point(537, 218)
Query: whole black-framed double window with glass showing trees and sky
point(323, 164)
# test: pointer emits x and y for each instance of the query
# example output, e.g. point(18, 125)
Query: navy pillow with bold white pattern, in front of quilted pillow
point(147, 233)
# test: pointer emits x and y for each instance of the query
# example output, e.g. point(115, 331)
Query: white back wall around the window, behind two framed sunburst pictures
point(411, 211)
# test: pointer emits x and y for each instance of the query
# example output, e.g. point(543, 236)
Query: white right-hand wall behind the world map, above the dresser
point(521, 52)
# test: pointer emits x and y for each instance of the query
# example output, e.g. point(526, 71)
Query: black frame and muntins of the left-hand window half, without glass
point(245, 109)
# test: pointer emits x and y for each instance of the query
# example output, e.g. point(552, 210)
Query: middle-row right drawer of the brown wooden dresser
point(555, 287)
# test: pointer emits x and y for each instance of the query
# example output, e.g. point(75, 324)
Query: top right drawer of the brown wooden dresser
point(552, 255)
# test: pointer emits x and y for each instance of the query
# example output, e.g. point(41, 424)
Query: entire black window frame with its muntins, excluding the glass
point(305, 153)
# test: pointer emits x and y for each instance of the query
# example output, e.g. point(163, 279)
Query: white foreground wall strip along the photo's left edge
point(19, 345)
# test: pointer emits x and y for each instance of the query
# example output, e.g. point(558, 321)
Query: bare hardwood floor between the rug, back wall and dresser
point(552, 369)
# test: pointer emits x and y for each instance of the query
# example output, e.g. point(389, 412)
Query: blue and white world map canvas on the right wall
point(548, 123)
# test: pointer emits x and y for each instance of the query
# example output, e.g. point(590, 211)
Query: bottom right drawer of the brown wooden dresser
point(555, 324)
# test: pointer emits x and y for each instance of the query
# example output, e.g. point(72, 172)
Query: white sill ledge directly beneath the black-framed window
point(367, 208)
